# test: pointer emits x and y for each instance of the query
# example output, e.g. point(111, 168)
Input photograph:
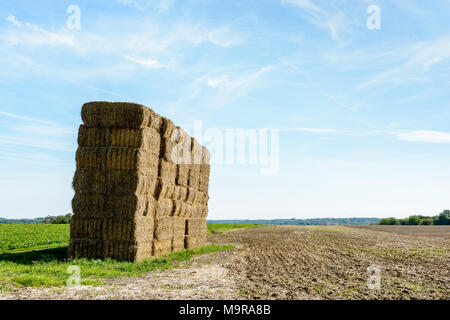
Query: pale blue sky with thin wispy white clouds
point(363, 114)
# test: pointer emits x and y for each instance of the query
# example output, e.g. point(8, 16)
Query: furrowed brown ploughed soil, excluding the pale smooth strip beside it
point(331, 262)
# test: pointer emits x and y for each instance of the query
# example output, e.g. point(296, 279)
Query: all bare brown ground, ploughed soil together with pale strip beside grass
point(293, 262)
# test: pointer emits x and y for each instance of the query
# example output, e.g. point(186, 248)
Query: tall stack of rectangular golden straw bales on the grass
point(141, 185)
